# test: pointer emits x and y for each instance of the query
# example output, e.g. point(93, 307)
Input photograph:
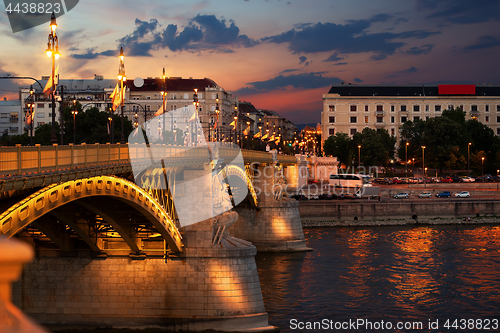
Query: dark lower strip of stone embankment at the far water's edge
point(326, 222)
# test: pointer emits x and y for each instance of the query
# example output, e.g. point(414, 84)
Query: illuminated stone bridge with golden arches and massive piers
point(112, 250)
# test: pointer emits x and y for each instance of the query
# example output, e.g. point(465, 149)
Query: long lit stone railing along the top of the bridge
point(26, 159)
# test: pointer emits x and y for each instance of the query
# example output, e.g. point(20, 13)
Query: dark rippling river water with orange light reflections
point(434, 276)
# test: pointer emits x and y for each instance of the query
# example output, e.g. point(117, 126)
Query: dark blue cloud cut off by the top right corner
point(462, 11)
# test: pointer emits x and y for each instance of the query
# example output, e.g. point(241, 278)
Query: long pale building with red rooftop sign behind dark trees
point(351, 108)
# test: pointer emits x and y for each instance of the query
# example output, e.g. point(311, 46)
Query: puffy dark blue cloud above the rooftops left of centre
point(203, 32)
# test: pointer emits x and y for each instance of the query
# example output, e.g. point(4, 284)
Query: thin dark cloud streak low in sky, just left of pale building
point(310, 80)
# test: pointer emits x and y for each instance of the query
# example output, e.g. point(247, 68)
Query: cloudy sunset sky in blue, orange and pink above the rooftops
point(280, 55)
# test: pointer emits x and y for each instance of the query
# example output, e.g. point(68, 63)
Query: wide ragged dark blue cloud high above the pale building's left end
point(349, 38)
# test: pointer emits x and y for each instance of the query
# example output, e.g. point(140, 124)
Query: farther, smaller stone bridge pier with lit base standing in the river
point(273, 226)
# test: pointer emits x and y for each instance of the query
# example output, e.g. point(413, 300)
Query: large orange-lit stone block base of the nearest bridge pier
point(218, 289)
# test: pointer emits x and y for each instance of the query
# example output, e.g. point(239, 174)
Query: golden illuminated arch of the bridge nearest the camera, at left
point(48, 199)
